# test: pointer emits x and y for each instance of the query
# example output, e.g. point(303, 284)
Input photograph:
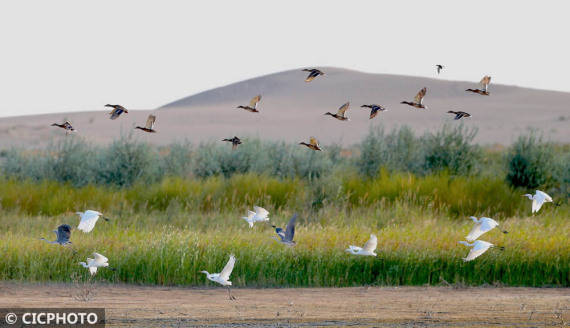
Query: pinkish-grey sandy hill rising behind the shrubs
point(292, 110)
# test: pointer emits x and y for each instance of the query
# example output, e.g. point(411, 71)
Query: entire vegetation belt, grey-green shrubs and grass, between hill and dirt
point(177, 210)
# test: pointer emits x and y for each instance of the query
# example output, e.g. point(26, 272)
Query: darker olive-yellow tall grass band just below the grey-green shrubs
point(451, 195)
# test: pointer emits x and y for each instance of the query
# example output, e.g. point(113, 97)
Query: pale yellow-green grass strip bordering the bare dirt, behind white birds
point(416, 246)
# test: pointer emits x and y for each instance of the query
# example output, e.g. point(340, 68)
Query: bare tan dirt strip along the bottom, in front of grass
point(134, 306)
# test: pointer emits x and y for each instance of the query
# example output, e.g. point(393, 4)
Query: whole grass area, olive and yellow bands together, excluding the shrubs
point(166, 233)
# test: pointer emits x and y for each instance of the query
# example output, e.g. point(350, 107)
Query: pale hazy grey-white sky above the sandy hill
point(74, 55)
